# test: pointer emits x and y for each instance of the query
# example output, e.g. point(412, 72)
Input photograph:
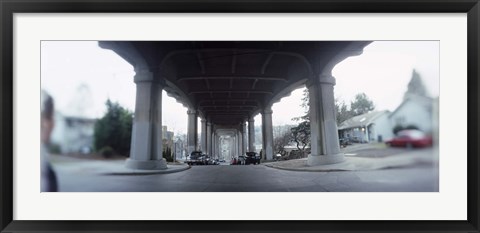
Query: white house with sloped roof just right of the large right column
point(369, 127)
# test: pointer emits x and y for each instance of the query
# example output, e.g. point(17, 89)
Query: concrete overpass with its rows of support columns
point(227, 83)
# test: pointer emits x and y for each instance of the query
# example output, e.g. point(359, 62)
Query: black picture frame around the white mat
point(9, 7)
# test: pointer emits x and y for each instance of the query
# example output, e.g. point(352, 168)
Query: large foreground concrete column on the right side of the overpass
point(325, 148)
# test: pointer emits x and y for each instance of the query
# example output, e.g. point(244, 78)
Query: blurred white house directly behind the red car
point(415, 111)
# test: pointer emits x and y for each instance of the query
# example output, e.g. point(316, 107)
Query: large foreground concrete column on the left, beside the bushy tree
point(146, 145)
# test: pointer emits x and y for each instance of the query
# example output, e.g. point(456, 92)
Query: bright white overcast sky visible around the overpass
point(81, 76)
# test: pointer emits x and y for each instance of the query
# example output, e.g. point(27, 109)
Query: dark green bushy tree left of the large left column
point(114, 129)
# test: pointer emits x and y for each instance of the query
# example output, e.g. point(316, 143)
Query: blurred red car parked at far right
point(410, 138)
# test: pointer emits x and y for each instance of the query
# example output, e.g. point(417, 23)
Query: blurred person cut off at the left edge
point(48, 182)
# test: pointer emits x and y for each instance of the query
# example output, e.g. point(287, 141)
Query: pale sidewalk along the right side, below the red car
point(352, 163)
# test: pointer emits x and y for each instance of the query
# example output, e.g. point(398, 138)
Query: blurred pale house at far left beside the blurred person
point(73, 134)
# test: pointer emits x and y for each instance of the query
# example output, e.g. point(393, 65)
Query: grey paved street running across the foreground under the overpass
point(421, 177)
